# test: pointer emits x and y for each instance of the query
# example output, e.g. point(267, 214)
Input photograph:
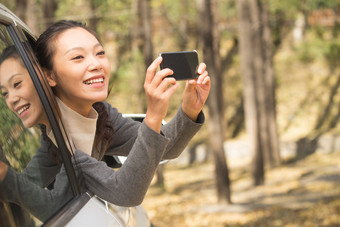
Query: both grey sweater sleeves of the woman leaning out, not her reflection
point(144, 149)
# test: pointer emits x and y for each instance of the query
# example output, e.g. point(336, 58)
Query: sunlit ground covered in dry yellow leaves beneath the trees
point(304, 193)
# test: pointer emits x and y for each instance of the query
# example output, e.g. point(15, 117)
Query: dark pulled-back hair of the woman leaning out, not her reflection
point(45, 50)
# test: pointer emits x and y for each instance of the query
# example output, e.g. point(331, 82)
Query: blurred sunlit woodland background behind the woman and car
point(269, 152)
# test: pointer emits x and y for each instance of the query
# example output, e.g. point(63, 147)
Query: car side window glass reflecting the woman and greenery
point(36, 184)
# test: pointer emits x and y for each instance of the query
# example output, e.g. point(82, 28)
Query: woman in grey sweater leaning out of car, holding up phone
point(78, 72)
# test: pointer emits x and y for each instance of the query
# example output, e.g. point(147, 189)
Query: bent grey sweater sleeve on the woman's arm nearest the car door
point(128, 185)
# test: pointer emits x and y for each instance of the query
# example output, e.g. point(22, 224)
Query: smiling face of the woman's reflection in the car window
point(19, 92)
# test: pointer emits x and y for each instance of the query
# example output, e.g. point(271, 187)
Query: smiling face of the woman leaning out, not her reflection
point(81, 70)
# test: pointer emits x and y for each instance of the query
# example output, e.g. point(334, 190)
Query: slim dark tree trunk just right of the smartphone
point(215, 102)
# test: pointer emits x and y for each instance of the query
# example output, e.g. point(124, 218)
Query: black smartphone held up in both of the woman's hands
point(183, 63)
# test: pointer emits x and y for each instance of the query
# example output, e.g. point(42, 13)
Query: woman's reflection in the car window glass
point(22, 99)
